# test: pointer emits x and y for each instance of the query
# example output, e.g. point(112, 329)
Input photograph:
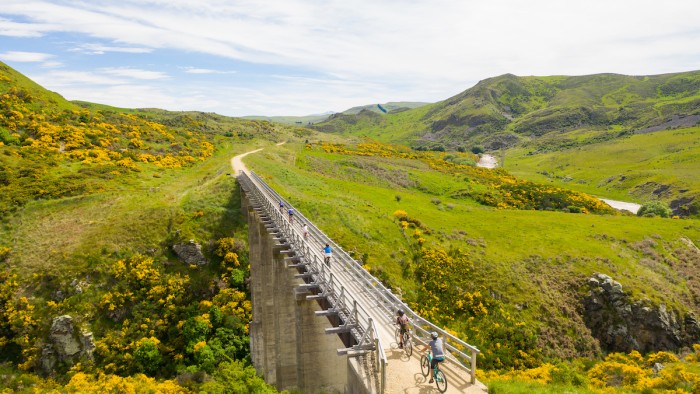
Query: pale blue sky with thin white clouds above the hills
point(302, 57)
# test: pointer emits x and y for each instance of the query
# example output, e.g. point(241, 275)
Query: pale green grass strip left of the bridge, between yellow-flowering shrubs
point(134, 215)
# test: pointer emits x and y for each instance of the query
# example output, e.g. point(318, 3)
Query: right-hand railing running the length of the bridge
point(384, 297)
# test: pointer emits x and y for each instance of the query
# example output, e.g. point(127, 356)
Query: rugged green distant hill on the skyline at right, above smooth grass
point(507, 110)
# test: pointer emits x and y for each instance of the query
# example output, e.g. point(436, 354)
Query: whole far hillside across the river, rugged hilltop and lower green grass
point(542, 126)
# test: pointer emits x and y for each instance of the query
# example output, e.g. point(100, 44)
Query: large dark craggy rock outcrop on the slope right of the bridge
point(622, 325)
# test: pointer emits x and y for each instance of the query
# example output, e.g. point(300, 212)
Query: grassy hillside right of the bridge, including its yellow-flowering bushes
point(507, 280)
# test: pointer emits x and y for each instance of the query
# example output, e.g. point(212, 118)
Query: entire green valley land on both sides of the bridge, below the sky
point(520, 259)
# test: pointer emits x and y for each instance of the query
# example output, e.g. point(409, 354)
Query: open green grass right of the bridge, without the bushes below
point(357, 212)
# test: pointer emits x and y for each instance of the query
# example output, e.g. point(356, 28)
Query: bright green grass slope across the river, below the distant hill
point(619, 169)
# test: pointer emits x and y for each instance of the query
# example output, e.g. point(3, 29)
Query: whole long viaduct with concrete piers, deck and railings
point(330, 329)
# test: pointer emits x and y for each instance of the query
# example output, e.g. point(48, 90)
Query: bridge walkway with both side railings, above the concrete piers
point(364, 304)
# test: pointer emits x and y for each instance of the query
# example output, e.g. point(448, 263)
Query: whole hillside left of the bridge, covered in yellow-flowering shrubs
point(92, 200)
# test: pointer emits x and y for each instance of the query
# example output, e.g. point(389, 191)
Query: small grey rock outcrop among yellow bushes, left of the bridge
point(65, 346)
